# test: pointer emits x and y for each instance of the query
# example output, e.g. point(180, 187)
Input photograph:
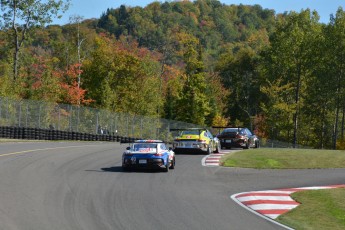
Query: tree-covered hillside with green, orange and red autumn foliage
point(202, 62)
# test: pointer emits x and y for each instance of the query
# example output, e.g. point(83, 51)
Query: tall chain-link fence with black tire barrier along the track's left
point(28, 119)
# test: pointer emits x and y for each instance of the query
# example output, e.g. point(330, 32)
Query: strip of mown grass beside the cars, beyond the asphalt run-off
point(265, 158)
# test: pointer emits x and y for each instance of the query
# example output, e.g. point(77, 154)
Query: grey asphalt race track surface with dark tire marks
point(80, 185)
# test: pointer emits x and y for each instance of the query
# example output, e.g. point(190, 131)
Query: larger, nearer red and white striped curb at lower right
point(272, 203)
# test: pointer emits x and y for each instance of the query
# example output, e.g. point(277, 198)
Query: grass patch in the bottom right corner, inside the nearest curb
point(319, 209)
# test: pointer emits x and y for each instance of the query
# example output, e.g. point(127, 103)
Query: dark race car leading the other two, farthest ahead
point(239, 137)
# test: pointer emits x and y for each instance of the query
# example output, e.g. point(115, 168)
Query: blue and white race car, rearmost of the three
point(148, 154)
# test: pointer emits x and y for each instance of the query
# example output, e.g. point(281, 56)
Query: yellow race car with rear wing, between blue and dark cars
point(195, 140)
